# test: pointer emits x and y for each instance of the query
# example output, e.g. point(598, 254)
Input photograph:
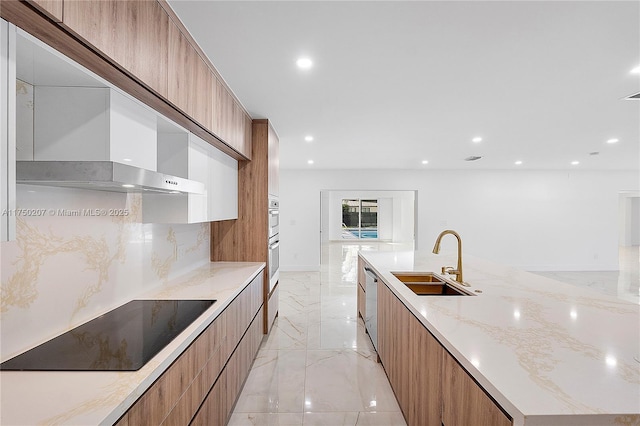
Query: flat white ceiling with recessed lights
point(395, 83)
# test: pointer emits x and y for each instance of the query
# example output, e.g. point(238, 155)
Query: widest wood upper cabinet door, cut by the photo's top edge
point(134, 34)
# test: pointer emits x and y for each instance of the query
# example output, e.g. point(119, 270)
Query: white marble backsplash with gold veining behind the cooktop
point(80, 253)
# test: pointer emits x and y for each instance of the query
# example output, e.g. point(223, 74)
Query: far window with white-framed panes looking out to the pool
point(359, 219)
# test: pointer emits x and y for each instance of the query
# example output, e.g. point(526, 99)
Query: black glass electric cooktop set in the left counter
point(123, 339)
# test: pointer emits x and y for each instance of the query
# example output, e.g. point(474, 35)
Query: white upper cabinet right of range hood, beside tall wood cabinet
point(186, 155)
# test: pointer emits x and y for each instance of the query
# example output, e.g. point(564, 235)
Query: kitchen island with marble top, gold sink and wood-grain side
point(541, 352)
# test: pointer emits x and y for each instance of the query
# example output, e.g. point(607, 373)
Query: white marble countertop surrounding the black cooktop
point(92, 398)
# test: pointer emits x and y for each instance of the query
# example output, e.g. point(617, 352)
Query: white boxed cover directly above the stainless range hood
point(92, 124)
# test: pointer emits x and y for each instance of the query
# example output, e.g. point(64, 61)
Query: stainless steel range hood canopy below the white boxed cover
point(102, 176)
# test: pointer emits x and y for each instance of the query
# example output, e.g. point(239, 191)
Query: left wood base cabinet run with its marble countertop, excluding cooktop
point(107, 397)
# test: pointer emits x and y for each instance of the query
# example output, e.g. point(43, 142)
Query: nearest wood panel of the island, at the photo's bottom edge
point(464, 401)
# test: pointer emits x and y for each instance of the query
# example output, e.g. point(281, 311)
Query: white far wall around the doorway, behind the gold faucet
point(535, 220)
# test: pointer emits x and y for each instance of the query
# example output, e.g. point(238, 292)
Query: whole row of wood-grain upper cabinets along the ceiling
point(142, 47)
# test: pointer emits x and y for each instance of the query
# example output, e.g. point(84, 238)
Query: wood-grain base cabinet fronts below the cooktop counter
point(210, 372)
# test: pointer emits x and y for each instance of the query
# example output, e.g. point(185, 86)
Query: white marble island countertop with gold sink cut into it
point(549, 353)
